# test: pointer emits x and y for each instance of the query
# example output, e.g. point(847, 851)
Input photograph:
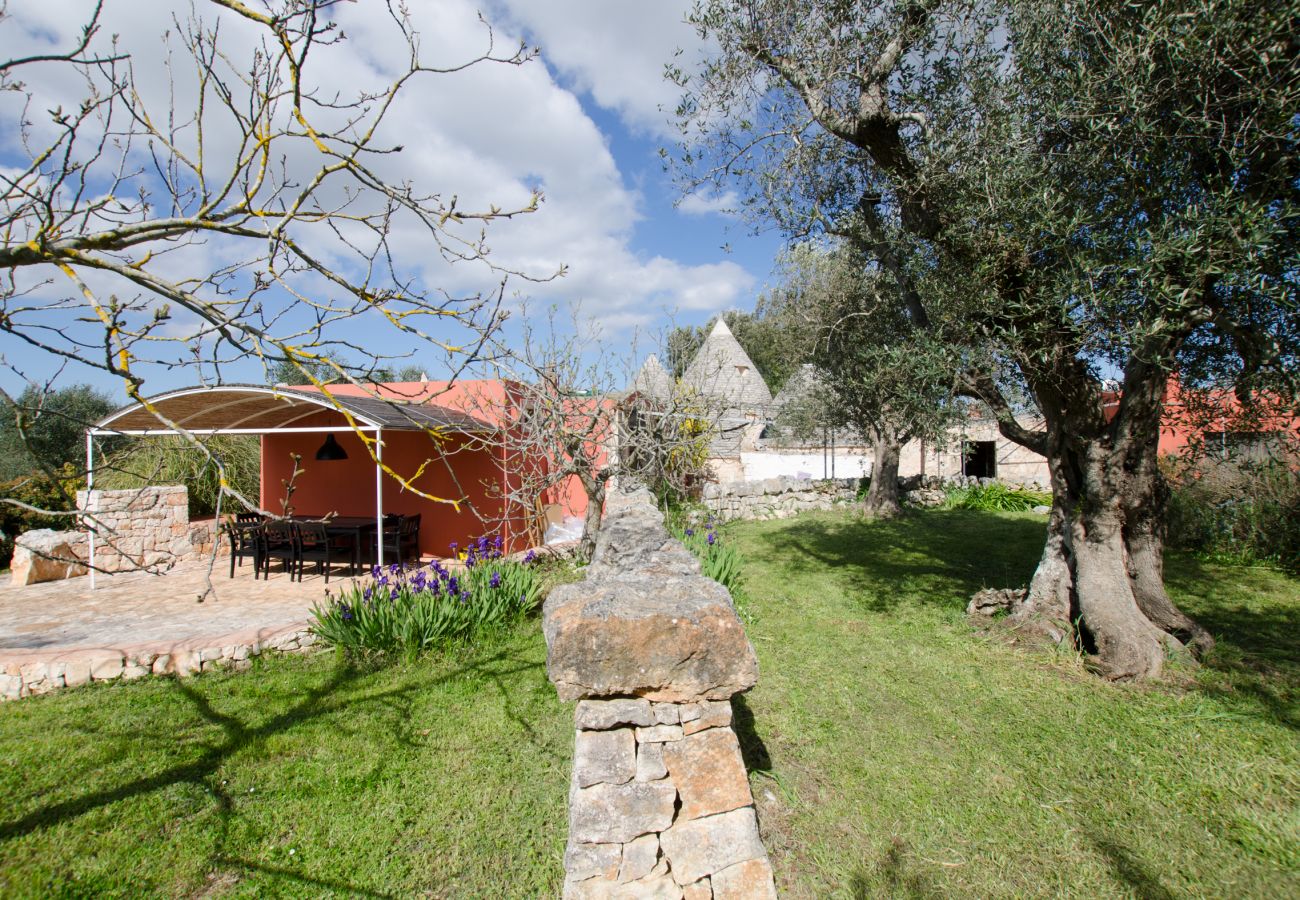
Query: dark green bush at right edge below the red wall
point(1245, 514)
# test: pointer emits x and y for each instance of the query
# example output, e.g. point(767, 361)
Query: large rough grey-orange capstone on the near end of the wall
point(655, 637)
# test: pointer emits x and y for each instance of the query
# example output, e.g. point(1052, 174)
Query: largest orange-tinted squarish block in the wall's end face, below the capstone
point(709, 773)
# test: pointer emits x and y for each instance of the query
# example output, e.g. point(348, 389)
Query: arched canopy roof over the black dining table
point(262, 409)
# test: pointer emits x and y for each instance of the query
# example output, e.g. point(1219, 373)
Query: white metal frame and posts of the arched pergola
point(366, 426)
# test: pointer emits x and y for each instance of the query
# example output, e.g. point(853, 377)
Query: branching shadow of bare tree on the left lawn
point(237, 737)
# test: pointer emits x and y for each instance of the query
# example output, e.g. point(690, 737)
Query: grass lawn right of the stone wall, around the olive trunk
point(894, 754)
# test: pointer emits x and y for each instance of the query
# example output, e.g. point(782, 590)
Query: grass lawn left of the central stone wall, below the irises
point(302, 778)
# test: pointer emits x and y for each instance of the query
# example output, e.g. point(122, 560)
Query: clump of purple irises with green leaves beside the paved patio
point(414, 611)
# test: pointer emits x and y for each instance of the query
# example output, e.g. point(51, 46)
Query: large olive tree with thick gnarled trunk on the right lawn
point(1089, 189)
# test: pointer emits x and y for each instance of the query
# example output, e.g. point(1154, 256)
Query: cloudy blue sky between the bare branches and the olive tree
point(584, 123)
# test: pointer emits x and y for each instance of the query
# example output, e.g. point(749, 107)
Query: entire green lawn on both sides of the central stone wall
point(892, 752)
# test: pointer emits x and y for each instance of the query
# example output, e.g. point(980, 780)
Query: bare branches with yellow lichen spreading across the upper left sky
point(219, 196)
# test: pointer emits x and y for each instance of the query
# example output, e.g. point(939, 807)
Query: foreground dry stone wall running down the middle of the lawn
point(660, 801)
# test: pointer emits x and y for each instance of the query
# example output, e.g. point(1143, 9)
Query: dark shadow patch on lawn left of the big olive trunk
point(937, 557)
